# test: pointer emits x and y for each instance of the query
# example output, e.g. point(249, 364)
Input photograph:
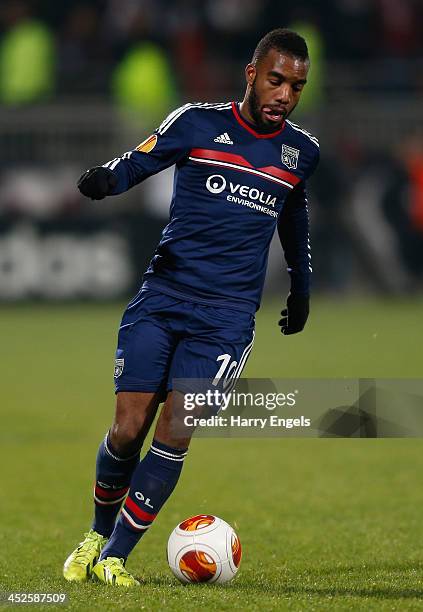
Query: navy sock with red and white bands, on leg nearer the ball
point(152, 483)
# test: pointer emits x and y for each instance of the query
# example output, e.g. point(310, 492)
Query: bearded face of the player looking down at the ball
point(276, 83)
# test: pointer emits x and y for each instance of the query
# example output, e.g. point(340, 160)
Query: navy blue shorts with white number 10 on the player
point(162, 337)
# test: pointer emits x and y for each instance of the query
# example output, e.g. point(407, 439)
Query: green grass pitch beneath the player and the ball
point(324, 523)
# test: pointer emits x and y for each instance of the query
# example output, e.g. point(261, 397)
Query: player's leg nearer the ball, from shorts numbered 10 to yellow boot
point(157, 474)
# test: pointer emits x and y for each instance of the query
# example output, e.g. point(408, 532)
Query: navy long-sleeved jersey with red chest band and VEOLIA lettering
point(232, 187)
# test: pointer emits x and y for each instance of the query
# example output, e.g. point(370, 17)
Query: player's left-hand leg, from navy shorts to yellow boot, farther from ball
point(144, 350)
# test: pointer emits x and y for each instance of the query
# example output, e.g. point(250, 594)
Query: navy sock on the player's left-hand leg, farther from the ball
point(113, 475)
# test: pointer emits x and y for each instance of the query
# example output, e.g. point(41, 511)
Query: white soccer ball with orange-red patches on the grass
point(204, 548)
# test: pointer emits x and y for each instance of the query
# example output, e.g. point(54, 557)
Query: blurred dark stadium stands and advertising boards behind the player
point(82, 81)
